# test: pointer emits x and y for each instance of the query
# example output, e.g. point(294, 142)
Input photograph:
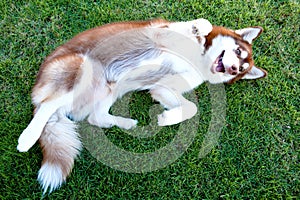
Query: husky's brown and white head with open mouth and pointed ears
point(230, 54)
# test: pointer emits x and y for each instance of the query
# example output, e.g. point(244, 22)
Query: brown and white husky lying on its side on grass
point(85, 76)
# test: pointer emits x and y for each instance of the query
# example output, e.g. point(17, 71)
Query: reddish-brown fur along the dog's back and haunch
point(68, 54)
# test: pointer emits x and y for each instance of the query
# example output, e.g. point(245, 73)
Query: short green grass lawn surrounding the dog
point(257, 156)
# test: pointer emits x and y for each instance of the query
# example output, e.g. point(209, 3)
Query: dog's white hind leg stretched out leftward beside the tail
point(33, 131)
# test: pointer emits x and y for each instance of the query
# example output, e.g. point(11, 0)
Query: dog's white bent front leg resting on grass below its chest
point(179, 108)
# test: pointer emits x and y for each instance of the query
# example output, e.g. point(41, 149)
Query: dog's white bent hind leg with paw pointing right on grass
point(100, 116)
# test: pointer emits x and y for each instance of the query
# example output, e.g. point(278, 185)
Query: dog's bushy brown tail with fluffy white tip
point(61, 145)
